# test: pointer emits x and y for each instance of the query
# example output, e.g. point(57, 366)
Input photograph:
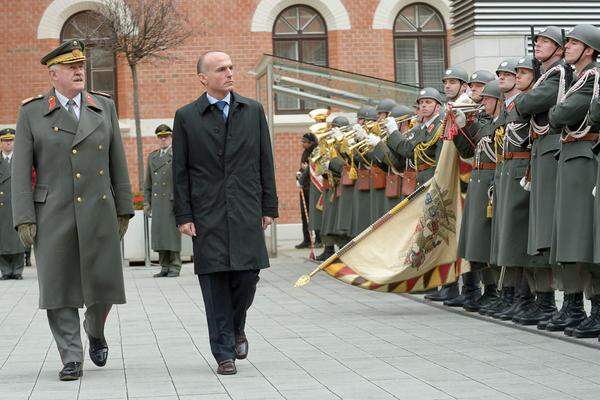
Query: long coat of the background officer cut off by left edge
point(9, 240)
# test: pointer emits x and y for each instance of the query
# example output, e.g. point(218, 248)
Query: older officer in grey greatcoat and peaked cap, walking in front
point(80, 206)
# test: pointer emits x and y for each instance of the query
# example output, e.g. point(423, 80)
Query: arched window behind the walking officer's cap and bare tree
point(100, 64)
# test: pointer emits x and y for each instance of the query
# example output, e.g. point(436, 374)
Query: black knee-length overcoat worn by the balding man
point(224, 182)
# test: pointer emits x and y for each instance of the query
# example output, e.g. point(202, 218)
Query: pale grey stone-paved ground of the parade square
point(325, 341)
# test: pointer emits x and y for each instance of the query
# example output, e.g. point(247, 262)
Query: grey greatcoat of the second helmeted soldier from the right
point(537, 102)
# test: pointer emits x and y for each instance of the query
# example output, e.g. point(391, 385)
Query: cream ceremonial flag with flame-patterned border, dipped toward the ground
point(413, 247)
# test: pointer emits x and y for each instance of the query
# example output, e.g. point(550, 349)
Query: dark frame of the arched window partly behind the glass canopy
point(300, 39)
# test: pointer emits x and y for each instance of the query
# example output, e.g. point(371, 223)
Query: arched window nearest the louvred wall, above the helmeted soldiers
point(419, 46)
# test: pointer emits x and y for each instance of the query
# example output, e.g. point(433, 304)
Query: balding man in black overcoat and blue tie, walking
point(225, 196)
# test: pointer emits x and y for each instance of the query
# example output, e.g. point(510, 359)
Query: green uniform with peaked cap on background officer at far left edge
point(12, 258)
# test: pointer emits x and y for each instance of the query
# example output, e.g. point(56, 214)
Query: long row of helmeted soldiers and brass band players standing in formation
point(527, 135)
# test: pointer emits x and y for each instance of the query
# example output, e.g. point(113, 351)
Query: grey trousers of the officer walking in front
point(64, 324)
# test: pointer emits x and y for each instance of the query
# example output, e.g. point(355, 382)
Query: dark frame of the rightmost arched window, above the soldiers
point(419, 35)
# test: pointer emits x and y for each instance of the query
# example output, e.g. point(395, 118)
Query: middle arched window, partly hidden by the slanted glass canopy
point(299, 33)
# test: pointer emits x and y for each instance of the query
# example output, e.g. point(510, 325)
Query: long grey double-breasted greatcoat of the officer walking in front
point(82, 186)
